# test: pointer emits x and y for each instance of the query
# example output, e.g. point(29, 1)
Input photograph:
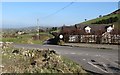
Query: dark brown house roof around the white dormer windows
point(80, 28)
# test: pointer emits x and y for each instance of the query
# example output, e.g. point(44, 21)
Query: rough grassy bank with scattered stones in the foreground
point(22, 60)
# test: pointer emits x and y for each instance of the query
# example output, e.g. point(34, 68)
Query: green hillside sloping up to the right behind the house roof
point(112, 18)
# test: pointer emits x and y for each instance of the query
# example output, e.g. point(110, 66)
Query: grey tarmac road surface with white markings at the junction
point(91, 59)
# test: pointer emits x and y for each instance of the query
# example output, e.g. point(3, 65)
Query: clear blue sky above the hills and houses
point(25, 14)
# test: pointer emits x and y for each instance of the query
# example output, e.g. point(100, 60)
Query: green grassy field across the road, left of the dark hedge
point(27, 39)
